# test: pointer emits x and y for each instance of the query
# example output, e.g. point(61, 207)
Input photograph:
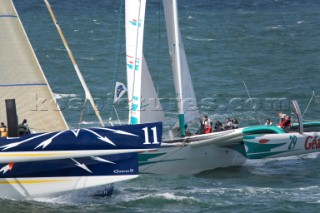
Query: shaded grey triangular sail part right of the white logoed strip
point(151, 109)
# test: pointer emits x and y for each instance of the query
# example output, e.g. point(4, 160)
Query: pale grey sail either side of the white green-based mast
point(185, 91)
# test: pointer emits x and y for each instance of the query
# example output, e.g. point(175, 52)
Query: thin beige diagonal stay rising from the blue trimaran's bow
point(83, 83)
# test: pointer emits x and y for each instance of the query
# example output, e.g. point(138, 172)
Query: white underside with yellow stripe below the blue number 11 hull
point(26, 188)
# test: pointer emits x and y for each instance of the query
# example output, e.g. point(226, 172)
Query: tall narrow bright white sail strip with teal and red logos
point(135, 14)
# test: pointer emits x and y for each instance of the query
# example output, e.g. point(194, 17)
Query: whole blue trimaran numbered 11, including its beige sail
point(55, 159)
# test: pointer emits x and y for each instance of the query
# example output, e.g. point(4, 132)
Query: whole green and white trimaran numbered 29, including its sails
point(193, 154)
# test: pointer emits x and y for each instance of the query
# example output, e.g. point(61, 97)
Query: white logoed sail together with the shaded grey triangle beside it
point(144, 105)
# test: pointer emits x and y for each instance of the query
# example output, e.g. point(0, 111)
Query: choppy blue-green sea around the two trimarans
point(272, 47)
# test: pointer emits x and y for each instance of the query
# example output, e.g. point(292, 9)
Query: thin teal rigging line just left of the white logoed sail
point(118, 51)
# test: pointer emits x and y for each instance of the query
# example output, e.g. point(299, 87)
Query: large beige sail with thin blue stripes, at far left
point(22, 78)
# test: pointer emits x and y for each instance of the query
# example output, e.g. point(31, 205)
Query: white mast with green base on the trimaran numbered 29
point(178, 65)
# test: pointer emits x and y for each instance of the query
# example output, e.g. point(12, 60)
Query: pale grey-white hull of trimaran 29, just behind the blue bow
point(190, 158)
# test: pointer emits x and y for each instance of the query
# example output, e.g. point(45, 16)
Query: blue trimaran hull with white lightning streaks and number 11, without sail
point(45, 163)
